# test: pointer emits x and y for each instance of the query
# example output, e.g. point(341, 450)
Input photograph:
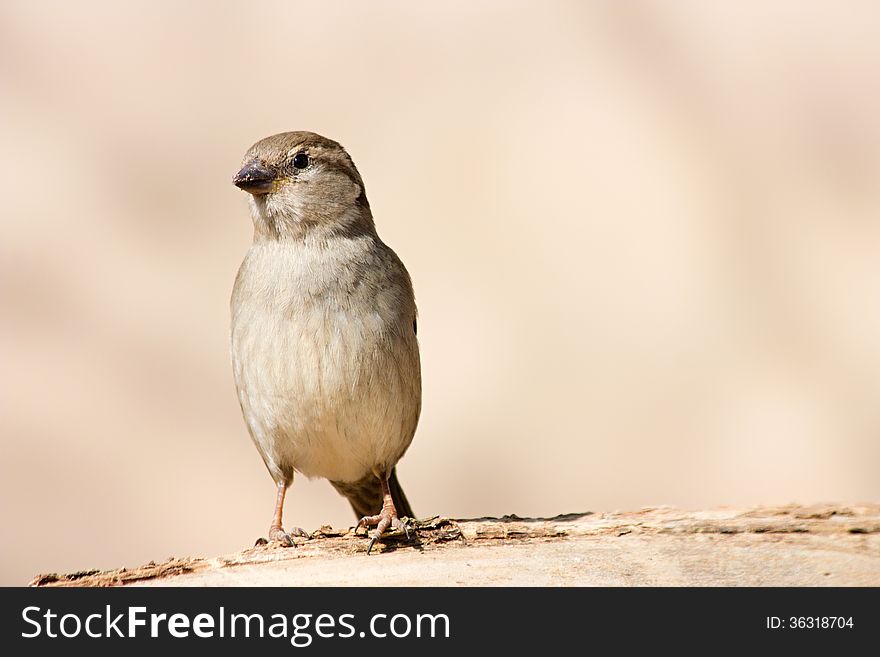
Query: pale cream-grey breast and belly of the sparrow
point(325, 362)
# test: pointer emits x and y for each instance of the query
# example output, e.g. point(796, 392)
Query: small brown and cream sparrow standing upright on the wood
point(324, 346)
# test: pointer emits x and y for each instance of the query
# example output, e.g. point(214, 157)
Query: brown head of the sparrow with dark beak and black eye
point(301, 183)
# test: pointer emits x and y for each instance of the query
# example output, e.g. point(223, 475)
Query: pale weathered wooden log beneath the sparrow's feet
point(781, 546)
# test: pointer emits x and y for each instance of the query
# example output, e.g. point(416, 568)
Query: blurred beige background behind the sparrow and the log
point(644, 238)
